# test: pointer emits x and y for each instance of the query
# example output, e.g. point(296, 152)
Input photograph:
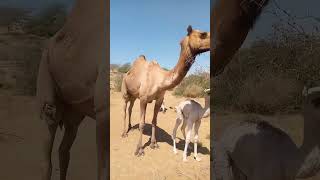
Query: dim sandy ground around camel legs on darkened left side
point(19, 143)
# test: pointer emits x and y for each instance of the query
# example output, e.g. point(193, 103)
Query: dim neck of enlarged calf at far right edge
point(309, 161)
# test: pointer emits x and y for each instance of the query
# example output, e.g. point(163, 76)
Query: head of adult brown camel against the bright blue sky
point(197, 41)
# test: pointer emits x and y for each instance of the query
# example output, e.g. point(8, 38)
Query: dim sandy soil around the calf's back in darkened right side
point(292, 124)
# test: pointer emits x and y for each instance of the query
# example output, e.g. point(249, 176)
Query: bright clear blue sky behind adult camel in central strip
point(154, 29)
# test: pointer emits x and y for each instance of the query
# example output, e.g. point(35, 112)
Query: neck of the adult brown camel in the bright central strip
point(176, 75)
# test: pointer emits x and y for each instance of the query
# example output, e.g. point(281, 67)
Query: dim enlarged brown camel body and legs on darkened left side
point(72, 83)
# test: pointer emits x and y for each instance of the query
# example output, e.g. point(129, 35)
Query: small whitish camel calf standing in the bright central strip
point(190, 113)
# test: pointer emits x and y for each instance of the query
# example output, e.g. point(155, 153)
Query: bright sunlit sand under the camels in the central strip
point(158, 164)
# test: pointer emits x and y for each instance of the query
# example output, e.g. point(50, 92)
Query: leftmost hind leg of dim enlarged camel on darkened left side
point(47, 114)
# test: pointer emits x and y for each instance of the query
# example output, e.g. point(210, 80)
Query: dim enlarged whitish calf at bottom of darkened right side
point(256, 150)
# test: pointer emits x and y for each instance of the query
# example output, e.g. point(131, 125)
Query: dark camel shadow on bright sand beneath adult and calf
point(163, 136)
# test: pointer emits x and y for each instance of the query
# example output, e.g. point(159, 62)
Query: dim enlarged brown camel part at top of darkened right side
point(230, 23)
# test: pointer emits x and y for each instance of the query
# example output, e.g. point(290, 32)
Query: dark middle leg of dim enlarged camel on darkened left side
point(71, 128)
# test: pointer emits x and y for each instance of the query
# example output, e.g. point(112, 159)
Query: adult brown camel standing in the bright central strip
point(148, 81)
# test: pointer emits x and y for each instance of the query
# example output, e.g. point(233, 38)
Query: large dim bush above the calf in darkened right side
point(268, 77)
